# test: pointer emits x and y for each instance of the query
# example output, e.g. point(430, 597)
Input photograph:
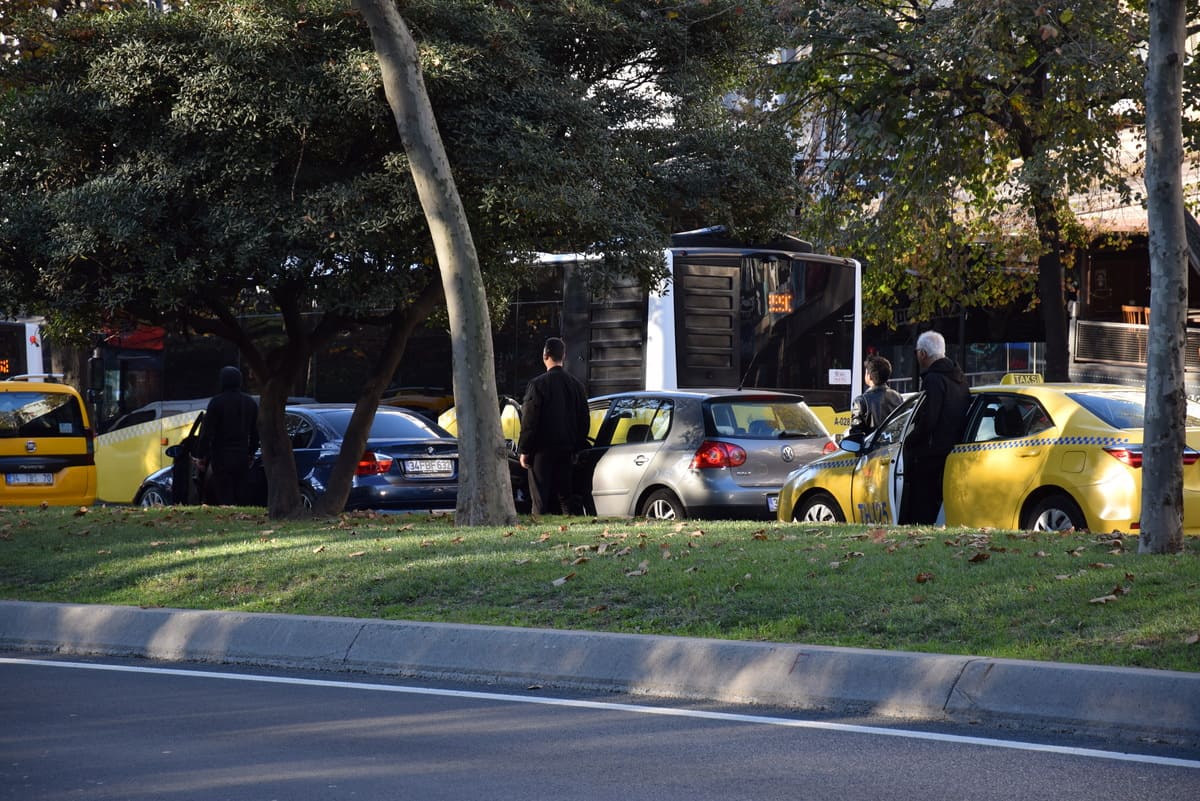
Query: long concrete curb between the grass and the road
point(1115, 702)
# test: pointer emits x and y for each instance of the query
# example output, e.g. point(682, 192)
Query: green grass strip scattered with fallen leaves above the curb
point(1076, 598)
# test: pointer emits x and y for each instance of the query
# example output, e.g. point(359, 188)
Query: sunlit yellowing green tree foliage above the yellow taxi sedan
point(947, 138)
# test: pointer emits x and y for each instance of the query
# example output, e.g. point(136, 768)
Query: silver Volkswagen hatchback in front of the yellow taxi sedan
point(716, 454)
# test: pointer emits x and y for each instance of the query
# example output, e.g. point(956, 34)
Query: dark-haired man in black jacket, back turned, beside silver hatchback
point(554, 429)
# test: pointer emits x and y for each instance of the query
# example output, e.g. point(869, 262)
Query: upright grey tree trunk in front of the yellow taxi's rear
point(1162, 478)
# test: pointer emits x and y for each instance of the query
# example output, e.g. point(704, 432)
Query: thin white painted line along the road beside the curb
point(763, 720)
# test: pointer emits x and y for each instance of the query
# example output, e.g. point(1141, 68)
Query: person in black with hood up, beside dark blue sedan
point(229, 439)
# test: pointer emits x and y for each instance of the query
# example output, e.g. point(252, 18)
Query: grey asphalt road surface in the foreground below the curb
point(141, 732)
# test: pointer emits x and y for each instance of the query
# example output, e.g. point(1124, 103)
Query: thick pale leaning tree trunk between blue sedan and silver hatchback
point(485, 496)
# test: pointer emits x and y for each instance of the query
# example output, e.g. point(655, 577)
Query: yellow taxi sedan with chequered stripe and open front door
point(1034, 456)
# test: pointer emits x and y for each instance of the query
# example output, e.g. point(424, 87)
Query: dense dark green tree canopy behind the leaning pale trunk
point(237, 158)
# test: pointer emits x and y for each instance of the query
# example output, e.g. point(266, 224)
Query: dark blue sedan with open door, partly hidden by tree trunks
point(411, 463)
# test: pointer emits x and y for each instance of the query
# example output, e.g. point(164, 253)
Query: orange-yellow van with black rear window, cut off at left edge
point(47, 449)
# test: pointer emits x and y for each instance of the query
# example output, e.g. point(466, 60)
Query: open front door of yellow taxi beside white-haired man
point(879, 477)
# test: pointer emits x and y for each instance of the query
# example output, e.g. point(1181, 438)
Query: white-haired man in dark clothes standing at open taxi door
point(937, 429)
